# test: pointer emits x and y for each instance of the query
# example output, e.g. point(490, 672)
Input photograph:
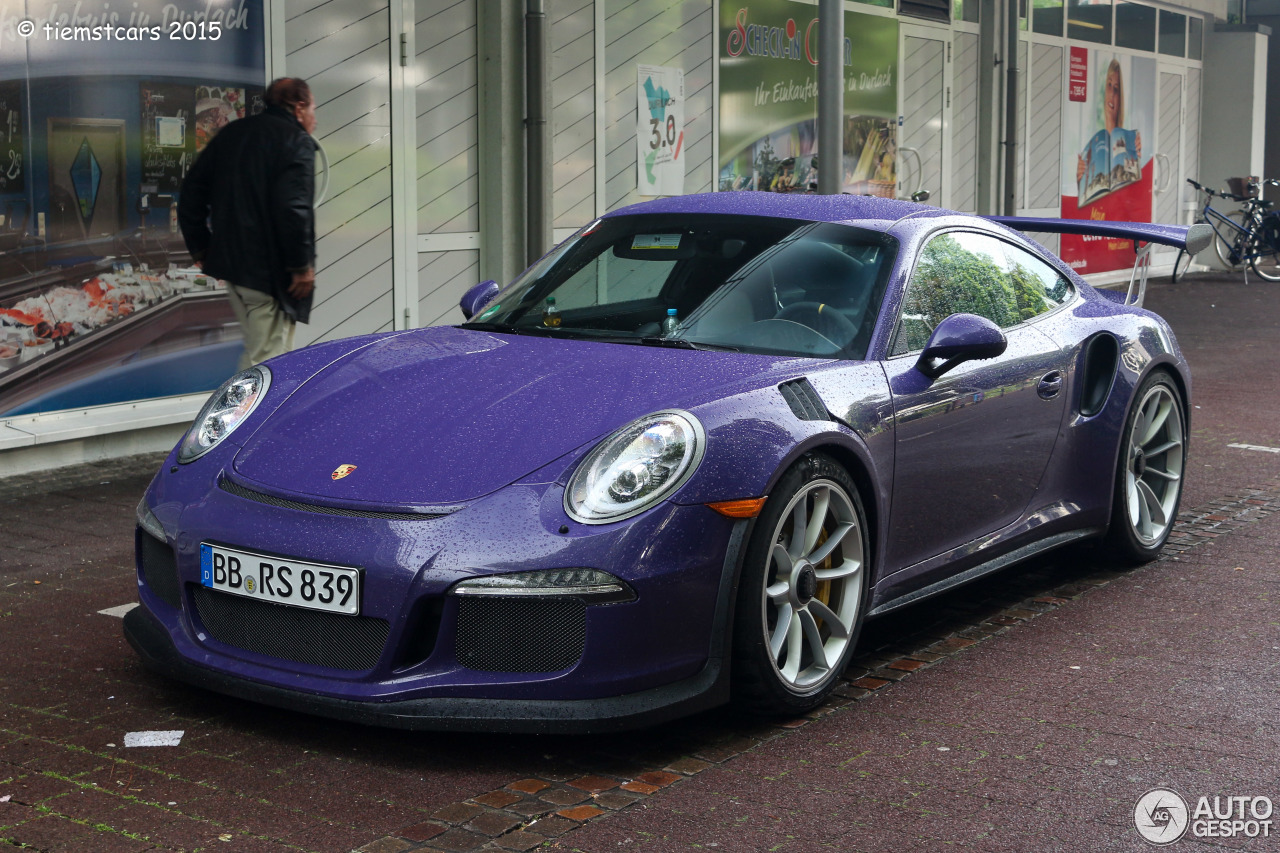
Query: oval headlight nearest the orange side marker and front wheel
point(636, 468)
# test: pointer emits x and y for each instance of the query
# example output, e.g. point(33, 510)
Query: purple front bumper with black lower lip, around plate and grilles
point(644, 662)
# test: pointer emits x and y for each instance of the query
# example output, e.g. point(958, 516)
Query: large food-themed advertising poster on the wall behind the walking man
point(103, 110)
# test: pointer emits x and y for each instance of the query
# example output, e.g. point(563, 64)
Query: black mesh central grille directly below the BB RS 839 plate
point(292, 633)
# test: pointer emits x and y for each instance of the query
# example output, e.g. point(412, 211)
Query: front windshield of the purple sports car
point(746, 284)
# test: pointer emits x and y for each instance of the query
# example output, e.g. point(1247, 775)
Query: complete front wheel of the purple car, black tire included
point(802, 599)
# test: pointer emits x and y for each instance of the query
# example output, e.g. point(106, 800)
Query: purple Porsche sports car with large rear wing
point(678, 463)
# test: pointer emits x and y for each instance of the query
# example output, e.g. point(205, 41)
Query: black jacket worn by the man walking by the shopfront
point(246, 207)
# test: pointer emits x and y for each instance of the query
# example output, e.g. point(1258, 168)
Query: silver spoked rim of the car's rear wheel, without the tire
point(1154, 475)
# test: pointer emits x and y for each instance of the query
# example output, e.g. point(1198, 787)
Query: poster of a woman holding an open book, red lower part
point(1107, 172)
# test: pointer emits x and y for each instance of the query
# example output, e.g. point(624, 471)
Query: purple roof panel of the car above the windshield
point(857, 211)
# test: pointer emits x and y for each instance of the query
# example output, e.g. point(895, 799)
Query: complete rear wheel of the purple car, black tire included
point(1150, 475)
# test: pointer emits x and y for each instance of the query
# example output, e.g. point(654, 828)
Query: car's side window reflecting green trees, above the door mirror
point(968, 273)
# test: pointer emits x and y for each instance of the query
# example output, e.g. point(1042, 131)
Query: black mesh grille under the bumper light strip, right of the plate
point(520, 635)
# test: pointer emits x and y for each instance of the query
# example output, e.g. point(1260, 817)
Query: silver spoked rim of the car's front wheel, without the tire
point(813, 586)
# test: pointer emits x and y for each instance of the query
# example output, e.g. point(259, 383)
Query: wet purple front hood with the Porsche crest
point(446, 416)
